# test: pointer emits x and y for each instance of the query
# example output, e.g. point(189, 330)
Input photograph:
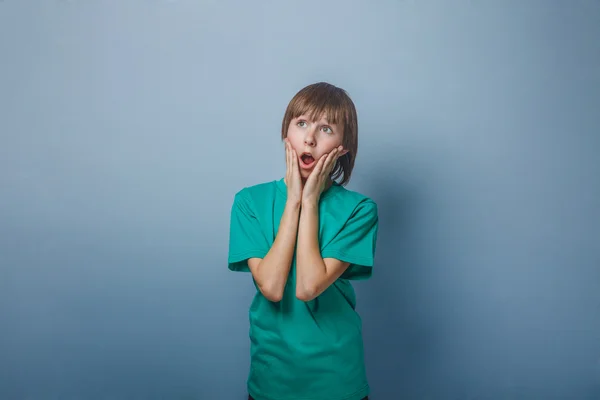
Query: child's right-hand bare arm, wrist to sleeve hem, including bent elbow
point(313, 273)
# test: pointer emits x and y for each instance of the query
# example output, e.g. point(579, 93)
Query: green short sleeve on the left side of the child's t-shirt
point(246, 239)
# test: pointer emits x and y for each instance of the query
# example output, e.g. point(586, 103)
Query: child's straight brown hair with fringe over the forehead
point(319, 98)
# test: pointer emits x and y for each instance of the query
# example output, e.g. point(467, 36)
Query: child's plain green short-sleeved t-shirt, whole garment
point(306, 350)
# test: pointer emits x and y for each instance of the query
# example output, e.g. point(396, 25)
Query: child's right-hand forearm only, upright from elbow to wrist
point(310, 267)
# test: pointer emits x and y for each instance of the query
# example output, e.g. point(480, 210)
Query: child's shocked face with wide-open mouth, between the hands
point(312, 139)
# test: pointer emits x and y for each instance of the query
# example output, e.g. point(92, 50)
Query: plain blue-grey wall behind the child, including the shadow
point(127, 127)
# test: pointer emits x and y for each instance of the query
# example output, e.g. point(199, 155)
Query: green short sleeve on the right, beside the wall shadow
point(356, 241)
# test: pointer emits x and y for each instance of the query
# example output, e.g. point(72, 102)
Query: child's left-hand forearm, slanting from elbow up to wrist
point(272, 271)
